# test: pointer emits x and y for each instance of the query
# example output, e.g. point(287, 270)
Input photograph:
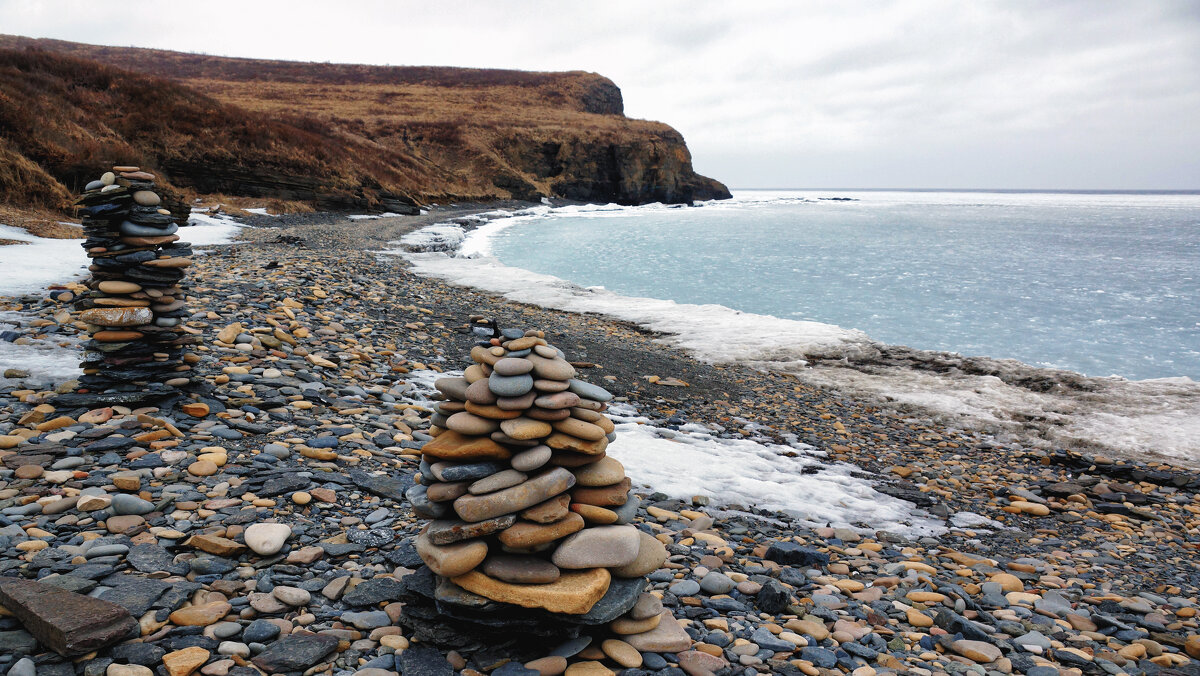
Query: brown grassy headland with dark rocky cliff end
point(338, 136)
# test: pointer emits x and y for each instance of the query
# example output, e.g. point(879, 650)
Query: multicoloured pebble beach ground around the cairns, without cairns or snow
point(260, 525)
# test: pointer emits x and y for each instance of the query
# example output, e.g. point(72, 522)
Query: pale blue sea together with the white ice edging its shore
point(1049, 319)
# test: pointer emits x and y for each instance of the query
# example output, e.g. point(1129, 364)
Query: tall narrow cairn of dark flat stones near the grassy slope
point(136, 308)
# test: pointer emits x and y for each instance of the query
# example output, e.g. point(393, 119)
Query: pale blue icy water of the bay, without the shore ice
point(1097, 284)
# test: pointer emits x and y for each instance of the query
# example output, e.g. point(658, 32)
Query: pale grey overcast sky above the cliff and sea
point(1082, 94)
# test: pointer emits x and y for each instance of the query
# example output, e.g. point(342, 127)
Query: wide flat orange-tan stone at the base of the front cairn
point(574, 594)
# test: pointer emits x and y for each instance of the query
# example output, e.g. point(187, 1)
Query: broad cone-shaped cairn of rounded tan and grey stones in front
point(529, 510)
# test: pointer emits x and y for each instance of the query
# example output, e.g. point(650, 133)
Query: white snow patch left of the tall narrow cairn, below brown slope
point(31, 268)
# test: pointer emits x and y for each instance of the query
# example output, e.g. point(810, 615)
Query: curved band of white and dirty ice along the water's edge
point(1153, 420)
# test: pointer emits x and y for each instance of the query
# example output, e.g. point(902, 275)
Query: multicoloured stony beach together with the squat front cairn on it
point(363, 476)
